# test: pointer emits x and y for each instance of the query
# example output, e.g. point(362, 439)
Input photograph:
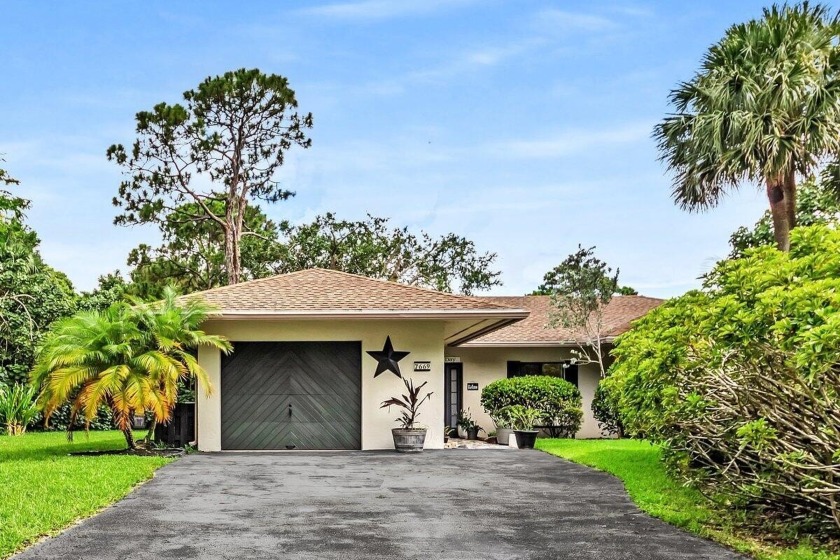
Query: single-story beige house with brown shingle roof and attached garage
point(314, 354)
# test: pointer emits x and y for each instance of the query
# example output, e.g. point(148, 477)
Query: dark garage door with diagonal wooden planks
point(301, 395)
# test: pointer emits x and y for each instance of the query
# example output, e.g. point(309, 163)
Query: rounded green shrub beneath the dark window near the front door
point(558, 401)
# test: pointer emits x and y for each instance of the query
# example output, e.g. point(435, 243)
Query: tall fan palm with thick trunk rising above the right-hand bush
point(764, 108)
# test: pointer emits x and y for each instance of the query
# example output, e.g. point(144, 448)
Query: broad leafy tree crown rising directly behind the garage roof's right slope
point(373, 248)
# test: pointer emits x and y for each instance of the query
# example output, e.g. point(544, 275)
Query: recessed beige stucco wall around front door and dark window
point(485, 365)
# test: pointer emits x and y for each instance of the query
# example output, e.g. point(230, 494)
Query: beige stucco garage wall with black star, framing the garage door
point(424, 339)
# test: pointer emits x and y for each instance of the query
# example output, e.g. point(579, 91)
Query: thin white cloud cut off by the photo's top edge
point(367, 10)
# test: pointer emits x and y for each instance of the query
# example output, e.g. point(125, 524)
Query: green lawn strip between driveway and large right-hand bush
point(637, 464)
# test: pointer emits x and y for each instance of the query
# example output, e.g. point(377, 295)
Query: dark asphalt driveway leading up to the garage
point(458, 504)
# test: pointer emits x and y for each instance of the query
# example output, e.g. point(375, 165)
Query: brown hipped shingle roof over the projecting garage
point(329, 291)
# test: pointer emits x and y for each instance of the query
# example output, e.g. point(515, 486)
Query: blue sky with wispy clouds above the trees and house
point(522, 125)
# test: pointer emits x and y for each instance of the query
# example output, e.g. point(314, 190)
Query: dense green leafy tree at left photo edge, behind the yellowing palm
point(32, 294)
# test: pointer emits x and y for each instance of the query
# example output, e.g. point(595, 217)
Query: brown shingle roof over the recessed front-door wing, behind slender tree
point(619, 313)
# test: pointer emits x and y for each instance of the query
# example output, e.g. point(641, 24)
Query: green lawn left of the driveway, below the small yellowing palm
point(43, 489)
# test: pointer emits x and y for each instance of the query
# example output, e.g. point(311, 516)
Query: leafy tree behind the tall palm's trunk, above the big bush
point(817, 202)
